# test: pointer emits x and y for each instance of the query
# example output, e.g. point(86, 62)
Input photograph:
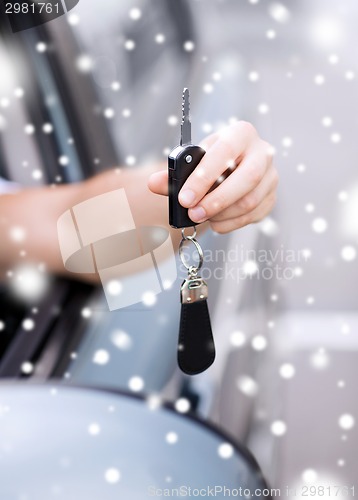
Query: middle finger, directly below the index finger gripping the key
point(245, 178)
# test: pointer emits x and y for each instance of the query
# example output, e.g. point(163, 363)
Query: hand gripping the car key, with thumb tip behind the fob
point(234, 184)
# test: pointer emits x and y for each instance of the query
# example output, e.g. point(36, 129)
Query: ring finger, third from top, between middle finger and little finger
point(252, 200)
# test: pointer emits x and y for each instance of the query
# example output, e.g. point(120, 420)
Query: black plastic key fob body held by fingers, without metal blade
point(181, 163)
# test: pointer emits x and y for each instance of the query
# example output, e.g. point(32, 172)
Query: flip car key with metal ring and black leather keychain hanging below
point(196, 349)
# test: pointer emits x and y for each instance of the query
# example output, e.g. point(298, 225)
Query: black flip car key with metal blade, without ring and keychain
point(182, 161)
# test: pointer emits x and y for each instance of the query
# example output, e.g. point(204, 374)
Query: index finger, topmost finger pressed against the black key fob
point(226, 148)
